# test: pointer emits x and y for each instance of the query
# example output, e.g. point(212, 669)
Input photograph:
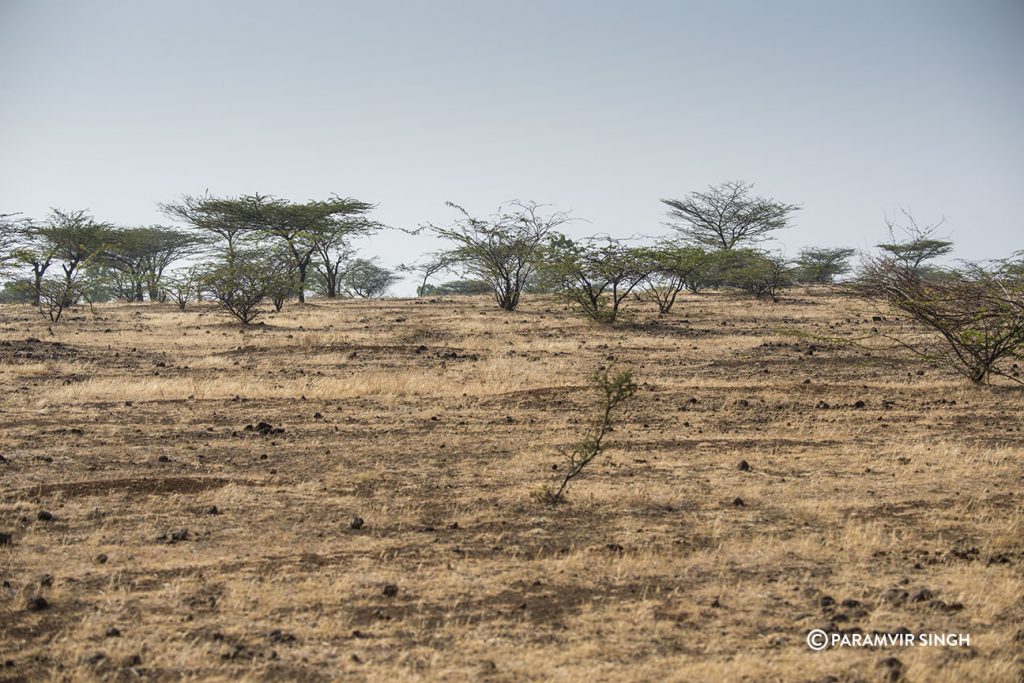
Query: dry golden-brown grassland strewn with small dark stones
point(436, 422)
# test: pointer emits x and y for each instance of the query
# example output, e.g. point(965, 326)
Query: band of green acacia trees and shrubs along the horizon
point(250, 252)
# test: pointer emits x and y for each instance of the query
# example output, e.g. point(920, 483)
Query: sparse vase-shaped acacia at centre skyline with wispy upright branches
point(503, 250)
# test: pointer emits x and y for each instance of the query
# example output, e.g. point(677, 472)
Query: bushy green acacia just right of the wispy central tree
point(598, 274)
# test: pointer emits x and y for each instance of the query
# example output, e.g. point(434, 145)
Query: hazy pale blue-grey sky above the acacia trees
point(852, 109)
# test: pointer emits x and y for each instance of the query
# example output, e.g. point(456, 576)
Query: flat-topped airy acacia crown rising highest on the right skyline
point(727, 216)
